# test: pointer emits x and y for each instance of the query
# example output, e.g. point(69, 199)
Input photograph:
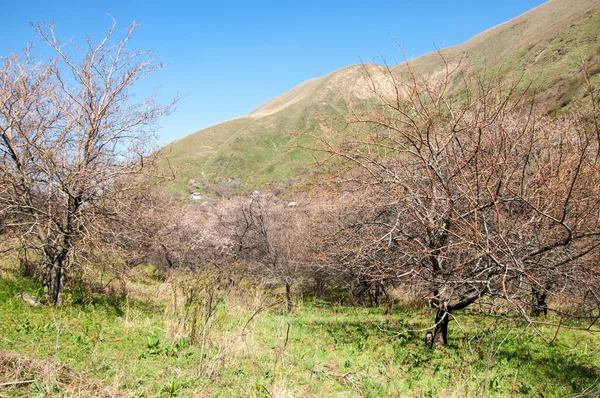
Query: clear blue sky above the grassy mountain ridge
point(230, 57)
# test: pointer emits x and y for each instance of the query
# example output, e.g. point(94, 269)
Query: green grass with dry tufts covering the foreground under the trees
point(321, 351)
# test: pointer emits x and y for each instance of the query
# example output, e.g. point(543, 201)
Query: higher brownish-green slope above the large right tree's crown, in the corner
point(546, 46)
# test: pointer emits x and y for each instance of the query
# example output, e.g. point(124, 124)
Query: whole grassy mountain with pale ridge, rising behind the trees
point(547, 45)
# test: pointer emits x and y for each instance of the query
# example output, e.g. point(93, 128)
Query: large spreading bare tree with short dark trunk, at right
point(471, 194)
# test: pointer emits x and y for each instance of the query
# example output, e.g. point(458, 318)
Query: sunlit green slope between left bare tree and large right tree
point(267, 146)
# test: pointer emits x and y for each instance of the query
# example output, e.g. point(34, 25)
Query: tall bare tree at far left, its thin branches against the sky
point(69, 130)
